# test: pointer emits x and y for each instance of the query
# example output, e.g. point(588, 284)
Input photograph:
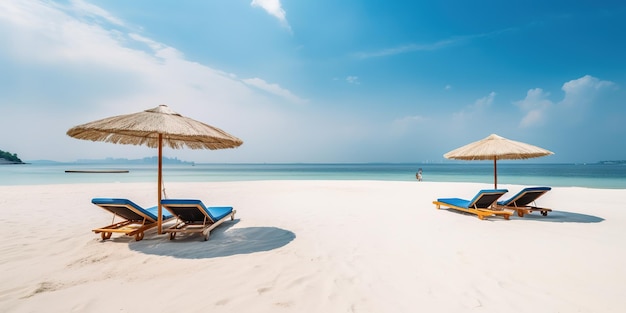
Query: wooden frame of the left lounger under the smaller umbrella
point(481, 205)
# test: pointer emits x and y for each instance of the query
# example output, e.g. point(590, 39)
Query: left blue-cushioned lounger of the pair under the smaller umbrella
point(482, 204)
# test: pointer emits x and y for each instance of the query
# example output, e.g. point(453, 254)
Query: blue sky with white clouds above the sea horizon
point(325, 81)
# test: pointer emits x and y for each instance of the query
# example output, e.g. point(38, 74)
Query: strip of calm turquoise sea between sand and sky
point(596, 175)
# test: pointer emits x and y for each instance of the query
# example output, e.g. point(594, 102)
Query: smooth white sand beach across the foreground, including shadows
point(314, 246)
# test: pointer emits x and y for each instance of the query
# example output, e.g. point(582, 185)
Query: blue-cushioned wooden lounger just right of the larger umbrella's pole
point(193, 217)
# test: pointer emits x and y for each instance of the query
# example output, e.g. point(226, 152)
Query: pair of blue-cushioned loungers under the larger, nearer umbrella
point(192, 217)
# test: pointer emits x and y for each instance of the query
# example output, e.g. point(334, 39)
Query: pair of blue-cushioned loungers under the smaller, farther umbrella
point(486, 203)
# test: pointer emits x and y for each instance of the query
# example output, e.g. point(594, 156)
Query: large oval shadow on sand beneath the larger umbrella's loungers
point(222, 242)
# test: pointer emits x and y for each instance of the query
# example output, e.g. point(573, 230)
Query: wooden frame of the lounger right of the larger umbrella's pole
point(193, 226)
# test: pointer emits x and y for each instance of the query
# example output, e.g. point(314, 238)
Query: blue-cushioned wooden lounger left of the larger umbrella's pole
point(136, 220)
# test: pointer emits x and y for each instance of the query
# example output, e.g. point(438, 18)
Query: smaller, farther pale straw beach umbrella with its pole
point(496, 148)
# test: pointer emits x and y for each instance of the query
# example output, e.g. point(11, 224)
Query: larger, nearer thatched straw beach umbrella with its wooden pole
point(155, 128)
